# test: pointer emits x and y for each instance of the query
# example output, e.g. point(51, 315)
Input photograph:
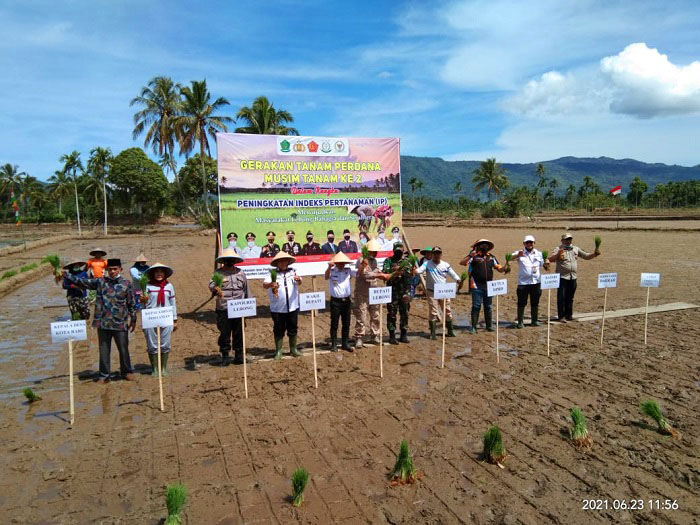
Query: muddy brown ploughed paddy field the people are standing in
point(236, 456)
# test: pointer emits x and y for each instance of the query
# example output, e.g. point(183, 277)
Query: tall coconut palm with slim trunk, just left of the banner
point(197, 122)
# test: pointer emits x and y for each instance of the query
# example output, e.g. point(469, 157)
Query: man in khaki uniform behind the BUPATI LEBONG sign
point(368, 276)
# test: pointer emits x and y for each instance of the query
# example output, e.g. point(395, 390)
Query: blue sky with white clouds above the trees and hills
point(459, 79)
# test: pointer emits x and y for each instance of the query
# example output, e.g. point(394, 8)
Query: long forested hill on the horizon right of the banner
point(440, 176)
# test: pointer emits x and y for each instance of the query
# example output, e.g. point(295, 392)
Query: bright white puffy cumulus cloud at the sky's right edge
point(639, 81)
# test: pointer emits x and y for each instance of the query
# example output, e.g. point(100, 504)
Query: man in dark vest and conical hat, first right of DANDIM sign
point(481, 266)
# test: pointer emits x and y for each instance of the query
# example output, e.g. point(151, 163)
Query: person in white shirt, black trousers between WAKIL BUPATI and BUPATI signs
point(338, 276)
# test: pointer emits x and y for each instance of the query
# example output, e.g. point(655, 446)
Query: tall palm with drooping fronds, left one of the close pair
point(160, 101)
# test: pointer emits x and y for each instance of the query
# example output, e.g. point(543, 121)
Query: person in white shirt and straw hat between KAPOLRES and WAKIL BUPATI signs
point(282, 285)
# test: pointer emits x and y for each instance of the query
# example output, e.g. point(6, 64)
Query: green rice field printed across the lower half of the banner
point(279, 220)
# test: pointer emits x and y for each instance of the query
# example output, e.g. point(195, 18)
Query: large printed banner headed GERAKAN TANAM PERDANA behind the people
point(306, 196)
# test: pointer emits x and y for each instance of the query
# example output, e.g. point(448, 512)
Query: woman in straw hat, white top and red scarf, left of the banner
point(159, 293)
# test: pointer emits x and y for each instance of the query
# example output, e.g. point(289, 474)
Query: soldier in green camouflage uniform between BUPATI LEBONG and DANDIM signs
point(400, 281)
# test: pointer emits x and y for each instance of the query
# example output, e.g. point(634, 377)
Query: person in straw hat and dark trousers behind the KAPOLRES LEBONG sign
point(233, 285)
